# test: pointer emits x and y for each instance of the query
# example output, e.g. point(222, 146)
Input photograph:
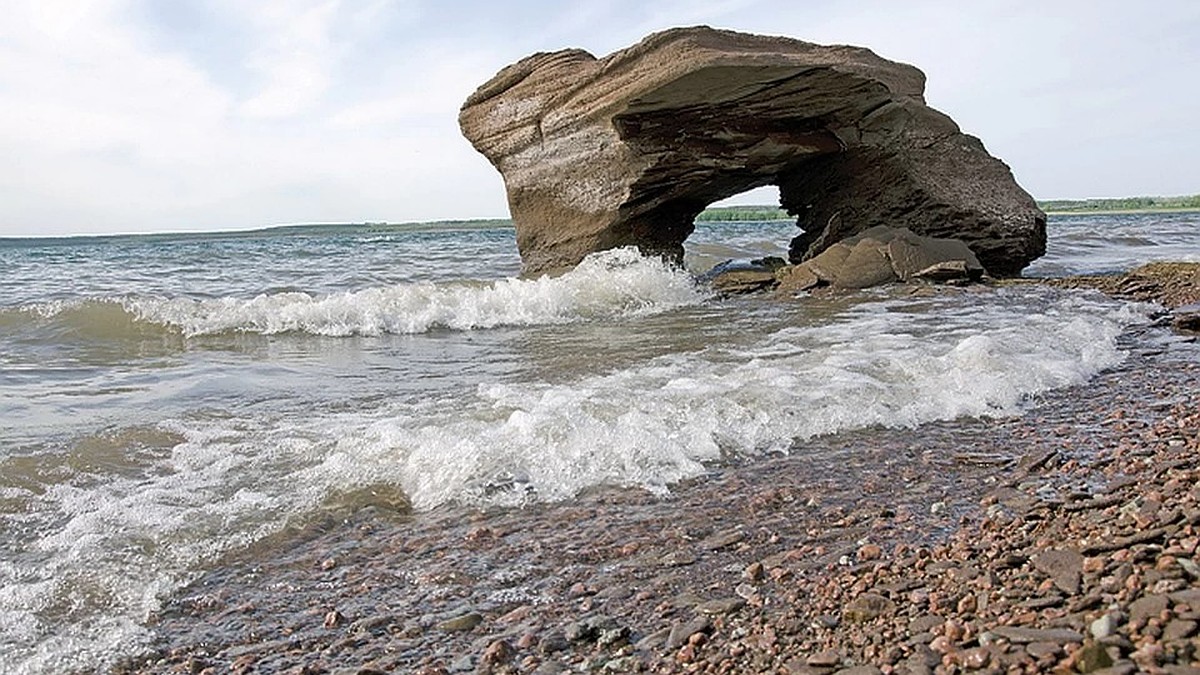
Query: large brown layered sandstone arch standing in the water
point(628, 150)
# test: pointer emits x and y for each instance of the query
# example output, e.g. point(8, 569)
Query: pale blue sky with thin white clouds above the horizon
point(154, 116)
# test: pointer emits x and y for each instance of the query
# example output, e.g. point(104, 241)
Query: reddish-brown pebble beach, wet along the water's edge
point(1065, 540)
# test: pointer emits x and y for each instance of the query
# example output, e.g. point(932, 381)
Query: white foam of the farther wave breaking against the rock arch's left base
point(610, 284)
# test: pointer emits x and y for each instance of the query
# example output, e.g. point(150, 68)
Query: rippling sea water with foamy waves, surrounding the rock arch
point(170, 399)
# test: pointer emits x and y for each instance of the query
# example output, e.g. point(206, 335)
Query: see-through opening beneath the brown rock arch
point(739, 230)
